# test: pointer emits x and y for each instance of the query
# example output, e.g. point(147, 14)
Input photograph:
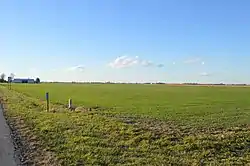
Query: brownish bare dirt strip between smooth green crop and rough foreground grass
point(170, 128)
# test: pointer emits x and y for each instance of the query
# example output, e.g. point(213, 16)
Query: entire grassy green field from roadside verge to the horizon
point(133, 124)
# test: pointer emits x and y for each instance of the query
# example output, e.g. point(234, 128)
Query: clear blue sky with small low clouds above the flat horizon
point(126, 40)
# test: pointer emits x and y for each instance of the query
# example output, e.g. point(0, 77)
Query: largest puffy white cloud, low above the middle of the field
point(125, 61)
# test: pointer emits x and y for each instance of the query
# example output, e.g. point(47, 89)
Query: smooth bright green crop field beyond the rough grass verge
point(186, 104)
